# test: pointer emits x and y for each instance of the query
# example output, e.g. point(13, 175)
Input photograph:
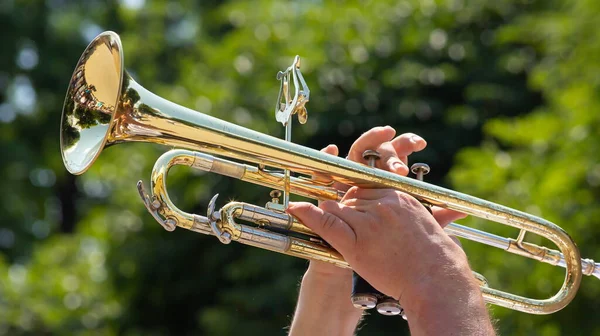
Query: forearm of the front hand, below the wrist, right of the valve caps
point(448, 303)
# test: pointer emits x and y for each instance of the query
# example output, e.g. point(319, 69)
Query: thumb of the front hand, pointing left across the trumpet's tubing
point(327, 225)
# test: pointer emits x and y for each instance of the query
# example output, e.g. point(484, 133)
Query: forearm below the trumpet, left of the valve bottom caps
point(324, 305)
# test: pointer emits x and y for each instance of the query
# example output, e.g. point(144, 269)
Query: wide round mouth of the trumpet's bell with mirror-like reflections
point(81, 143)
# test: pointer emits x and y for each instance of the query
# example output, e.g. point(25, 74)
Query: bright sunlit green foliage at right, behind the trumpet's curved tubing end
point(546, 162)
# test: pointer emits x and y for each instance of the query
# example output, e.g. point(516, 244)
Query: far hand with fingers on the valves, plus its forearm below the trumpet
point(324, 305)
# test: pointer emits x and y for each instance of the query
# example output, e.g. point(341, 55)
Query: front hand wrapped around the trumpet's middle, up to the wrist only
point(370, 225)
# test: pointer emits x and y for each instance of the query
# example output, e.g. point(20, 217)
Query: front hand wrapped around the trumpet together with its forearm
point(394, 243)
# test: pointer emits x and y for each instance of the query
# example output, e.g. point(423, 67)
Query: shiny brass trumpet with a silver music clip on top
point(104, 106)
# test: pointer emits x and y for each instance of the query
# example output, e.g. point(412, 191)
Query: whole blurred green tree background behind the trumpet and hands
point(506, 92)
